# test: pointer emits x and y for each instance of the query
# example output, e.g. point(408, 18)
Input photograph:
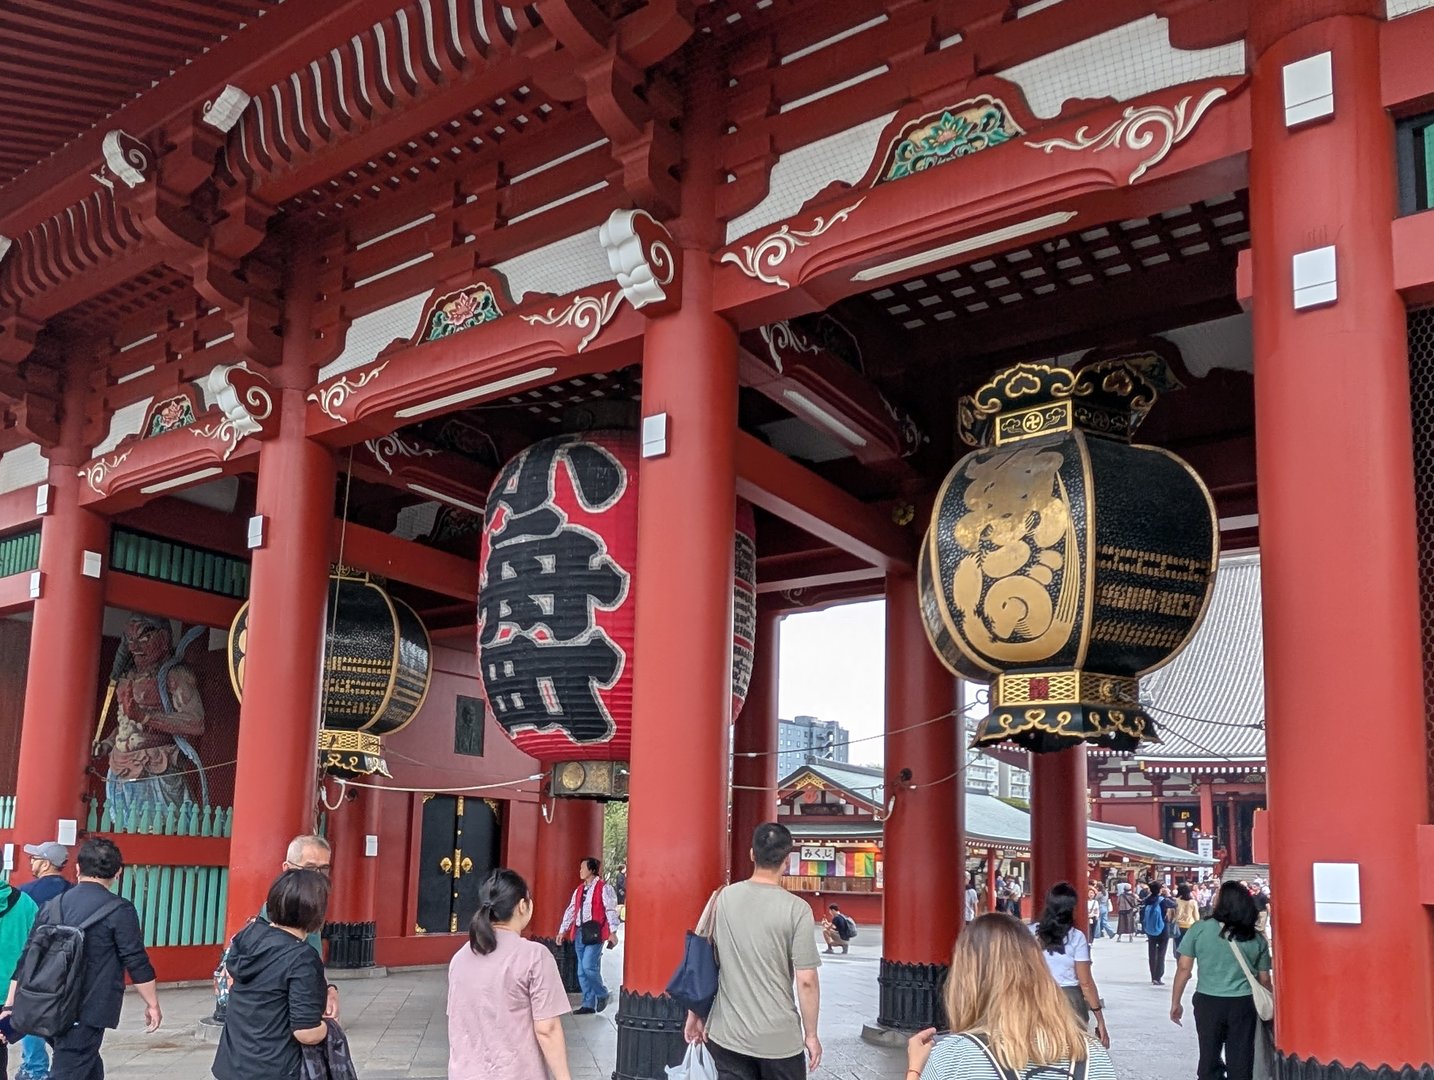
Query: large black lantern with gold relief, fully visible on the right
point(1063, 563)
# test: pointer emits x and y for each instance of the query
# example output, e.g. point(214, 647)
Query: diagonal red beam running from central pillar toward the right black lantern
point(772, 481)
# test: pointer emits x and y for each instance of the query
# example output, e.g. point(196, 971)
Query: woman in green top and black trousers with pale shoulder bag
point(1225, 1019)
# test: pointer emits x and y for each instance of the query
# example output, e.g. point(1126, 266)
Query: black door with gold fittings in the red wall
point(460, 847)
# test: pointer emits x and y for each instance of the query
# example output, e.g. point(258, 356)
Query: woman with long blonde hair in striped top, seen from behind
point(1009, 1019)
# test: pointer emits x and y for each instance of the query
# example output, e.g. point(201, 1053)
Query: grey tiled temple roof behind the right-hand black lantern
point(1210, 702)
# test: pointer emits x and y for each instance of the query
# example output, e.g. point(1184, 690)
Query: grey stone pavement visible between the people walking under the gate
point(398, 1028)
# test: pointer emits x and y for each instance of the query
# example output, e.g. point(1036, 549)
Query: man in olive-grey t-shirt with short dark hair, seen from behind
point(765, 942)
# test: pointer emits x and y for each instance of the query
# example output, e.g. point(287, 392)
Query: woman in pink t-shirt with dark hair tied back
point(505, 995)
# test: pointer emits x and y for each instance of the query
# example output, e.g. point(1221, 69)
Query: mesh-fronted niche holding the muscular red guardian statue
point(167, 729)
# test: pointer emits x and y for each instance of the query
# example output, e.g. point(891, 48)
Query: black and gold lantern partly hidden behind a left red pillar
point(378, 665)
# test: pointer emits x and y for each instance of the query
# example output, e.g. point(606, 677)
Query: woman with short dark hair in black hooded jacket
point(277, 999)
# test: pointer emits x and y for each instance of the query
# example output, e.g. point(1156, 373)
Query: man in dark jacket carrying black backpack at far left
point(70, 985)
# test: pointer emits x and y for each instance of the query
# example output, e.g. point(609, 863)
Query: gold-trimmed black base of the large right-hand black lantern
point(1050, 711)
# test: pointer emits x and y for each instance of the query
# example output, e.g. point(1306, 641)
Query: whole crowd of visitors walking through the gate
point(1022, 996)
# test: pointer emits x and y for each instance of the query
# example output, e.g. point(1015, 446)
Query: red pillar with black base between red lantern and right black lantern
point(682, 693)
